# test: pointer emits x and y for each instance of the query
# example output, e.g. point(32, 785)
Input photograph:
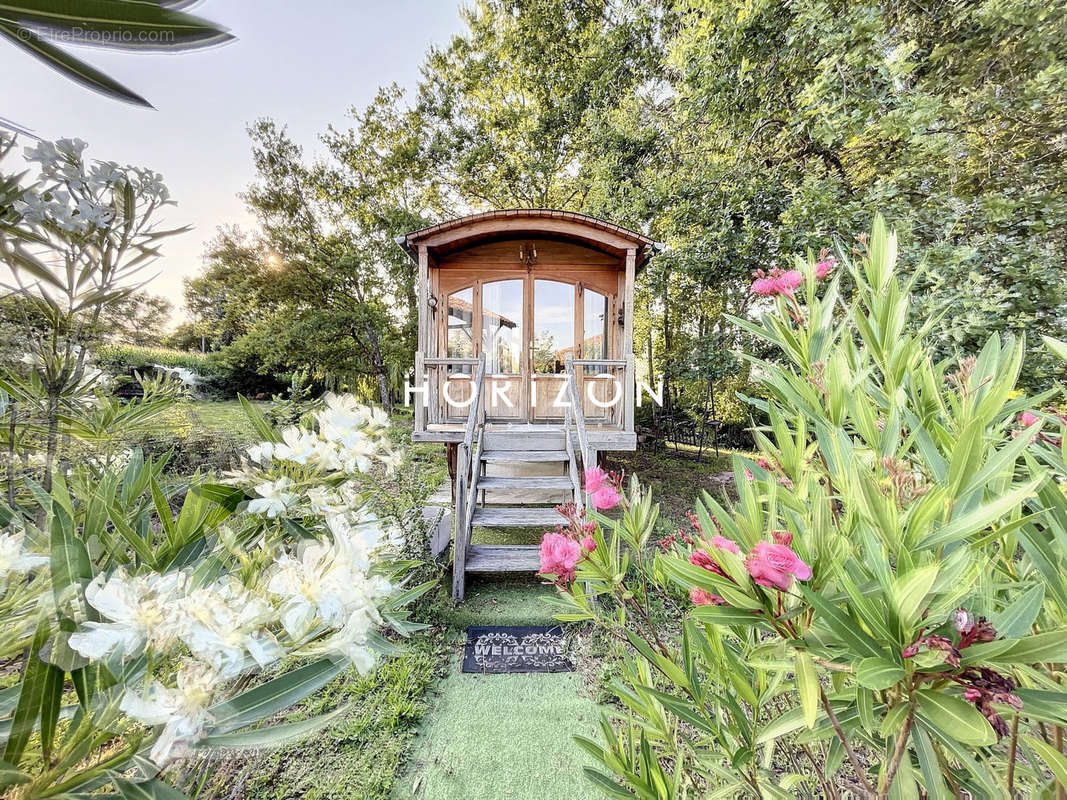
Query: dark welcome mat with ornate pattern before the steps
point(517, 649)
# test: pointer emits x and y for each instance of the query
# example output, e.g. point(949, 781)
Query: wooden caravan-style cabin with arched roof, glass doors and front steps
point(525, 364)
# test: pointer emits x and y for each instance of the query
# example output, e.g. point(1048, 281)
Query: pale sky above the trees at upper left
point(305, 65)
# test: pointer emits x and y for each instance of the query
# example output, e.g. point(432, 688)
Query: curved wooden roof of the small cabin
point(516, 223)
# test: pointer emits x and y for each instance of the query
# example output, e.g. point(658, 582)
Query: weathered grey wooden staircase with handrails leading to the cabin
point(532, 450)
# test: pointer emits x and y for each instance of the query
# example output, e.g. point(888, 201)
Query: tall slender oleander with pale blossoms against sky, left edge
point(75, 239)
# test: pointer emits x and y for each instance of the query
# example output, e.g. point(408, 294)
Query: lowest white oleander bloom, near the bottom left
point(183, 711)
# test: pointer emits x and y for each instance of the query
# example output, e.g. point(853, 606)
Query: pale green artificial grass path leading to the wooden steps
point(502, 738)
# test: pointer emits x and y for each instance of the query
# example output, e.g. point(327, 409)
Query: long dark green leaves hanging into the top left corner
point(132, 26)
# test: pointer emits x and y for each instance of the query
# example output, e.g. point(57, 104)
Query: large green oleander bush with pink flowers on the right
point(883, 613)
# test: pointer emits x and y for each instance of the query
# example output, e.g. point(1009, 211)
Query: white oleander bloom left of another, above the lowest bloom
point(141, 612)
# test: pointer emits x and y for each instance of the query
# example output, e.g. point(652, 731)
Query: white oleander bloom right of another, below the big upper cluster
point(225, 626)
